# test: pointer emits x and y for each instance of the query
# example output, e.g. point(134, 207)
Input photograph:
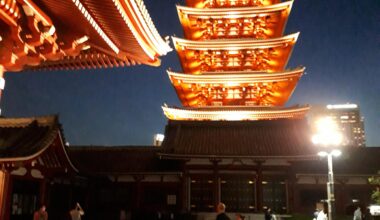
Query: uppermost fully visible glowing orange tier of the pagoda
point(254, 22)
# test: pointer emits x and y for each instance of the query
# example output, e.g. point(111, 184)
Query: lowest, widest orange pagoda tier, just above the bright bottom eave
point(235, 88)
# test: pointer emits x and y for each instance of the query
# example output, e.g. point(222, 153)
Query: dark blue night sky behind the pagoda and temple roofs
point(339, 45)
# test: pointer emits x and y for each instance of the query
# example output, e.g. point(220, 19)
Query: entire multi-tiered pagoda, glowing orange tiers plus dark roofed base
point(236, 138)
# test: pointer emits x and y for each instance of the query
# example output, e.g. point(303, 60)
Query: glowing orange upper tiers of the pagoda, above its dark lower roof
point(234, 57)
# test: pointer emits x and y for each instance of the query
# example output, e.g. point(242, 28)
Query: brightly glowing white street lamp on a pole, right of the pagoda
point(327, 135)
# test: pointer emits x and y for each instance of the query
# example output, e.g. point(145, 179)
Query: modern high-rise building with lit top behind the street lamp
point(348, 119)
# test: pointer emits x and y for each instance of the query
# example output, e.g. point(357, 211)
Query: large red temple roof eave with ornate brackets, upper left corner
point(123, 30)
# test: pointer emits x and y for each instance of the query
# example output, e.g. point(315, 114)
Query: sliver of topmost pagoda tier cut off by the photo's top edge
point(228, 3)
